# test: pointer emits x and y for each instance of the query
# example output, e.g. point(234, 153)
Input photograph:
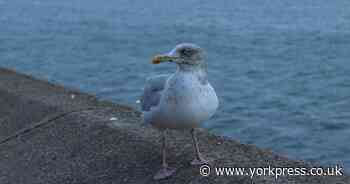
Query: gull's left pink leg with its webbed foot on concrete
point(165, 171)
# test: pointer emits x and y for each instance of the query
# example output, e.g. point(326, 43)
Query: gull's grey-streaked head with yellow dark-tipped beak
point(184, 54)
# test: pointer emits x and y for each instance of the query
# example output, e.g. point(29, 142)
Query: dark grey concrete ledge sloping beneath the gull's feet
point(50, 134)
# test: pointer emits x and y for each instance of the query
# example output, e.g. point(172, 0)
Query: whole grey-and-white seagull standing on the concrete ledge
point(181, 101)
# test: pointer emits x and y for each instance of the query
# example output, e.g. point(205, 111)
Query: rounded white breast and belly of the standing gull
point(186, 103)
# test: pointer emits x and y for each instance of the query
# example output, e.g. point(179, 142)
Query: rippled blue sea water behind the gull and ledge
point(281, 69)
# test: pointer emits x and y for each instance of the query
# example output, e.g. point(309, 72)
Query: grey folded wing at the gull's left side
point(153, 91)
